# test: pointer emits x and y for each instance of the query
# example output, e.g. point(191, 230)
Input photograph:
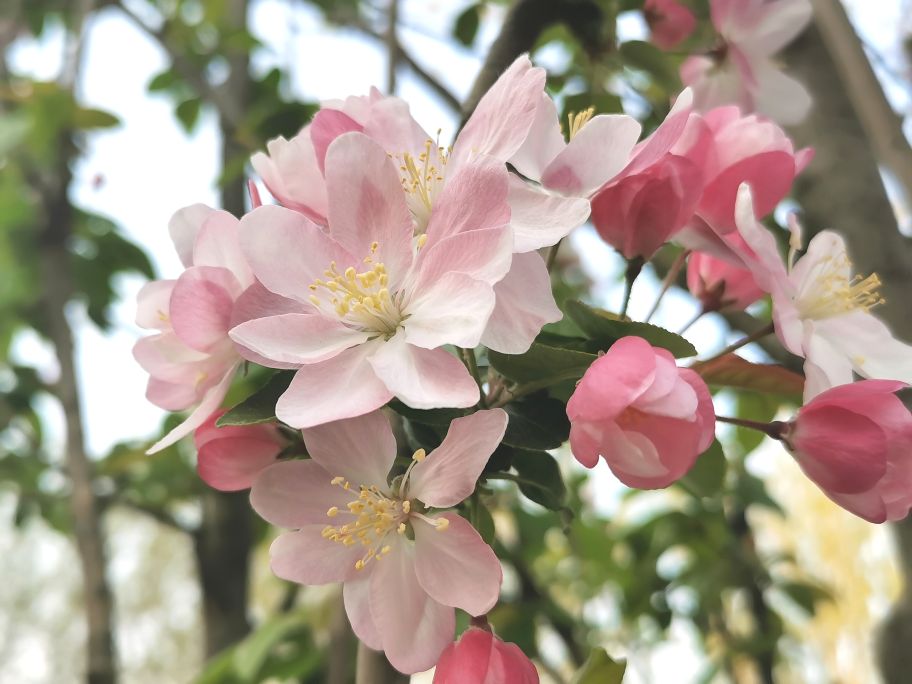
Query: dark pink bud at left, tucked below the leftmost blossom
point(230, 457)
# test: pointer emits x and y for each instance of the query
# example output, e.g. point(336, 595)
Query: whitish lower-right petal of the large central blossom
point(452, 310)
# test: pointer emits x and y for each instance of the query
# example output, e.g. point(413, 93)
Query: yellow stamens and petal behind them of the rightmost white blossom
point(833, 292)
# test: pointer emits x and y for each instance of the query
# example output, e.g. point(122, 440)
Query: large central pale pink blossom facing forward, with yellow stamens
point(378, 303)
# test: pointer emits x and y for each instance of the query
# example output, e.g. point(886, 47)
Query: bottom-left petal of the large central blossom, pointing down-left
point(341, 387)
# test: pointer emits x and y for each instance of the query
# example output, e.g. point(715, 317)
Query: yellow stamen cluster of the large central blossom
point(361, 300)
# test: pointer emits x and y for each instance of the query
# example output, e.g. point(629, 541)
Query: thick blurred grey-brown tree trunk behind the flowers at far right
point(842, 189)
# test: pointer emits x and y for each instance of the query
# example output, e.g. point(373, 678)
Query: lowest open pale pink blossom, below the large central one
point(404, 567)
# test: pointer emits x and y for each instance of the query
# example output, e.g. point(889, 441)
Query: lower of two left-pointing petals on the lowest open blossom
point(307, 558)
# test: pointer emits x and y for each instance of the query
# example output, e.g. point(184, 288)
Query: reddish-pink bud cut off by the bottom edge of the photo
point(479, 657)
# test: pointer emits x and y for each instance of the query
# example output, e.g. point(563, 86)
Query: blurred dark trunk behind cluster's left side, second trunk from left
point(224, 540)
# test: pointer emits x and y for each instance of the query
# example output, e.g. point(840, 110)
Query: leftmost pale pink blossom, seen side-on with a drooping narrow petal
point(190, 358)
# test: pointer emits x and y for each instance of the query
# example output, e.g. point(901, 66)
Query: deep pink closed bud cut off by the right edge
point(855, 442)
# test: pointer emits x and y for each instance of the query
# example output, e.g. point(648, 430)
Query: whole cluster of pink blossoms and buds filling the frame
point(390, 265)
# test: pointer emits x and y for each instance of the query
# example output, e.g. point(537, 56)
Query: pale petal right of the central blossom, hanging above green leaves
point(523, 305)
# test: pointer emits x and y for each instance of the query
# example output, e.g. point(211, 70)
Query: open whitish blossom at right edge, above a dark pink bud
point(821, 310)
